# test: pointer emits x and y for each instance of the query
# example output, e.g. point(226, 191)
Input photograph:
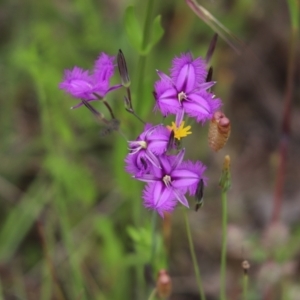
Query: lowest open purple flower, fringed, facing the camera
point(168, 184)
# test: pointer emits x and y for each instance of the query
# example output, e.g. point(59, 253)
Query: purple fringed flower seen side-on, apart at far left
point(83, 85)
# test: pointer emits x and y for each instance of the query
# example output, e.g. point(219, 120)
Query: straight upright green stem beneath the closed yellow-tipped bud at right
point(224, 246)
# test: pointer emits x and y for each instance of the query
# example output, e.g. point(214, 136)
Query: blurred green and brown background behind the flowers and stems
point(72, 224)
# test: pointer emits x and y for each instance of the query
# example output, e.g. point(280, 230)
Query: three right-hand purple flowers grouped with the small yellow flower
point(169, 178)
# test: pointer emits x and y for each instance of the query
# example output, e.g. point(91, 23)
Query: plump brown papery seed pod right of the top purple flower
point(219, 131)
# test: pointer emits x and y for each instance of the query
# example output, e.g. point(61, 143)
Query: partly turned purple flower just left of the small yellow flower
point(145, 149)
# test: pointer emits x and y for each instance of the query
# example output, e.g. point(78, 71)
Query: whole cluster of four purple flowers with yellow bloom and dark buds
point(155, 156)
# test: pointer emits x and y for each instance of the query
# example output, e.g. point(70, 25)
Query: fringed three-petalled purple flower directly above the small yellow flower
point(186, 90)
